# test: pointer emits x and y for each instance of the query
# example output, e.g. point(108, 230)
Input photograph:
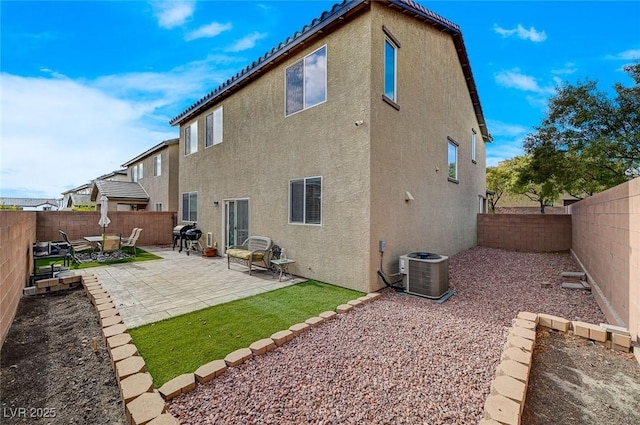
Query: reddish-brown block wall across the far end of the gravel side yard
point(525, 232)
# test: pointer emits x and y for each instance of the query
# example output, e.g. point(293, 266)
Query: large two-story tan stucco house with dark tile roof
point(364, 126)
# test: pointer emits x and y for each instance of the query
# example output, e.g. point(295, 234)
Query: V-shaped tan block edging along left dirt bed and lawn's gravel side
point(145, 405)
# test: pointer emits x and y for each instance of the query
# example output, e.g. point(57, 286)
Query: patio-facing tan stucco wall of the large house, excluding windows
point(262, 150)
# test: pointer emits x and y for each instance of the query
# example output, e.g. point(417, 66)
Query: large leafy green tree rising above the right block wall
point(588, 142)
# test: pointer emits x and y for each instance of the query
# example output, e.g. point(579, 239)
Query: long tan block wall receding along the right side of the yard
point(606, 243)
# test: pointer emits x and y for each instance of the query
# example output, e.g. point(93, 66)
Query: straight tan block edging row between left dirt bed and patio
point(142, 404)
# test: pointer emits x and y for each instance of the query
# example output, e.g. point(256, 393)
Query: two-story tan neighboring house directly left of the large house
point(157, 172)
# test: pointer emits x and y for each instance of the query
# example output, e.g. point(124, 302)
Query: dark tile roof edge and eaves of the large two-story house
point(329, 20)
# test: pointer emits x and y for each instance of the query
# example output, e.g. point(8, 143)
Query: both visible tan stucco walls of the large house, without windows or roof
point(365, 169)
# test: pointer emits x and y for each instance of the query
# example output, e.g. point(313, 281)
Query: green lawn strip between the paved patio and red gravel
point(184, 343)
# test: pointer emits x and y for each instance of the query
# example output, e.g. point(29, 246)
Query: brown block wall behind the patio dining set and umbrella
point(157, 225)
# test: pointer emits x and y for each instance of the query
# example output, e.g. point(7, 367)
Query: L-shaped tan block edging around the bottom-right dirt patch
point(506, 400)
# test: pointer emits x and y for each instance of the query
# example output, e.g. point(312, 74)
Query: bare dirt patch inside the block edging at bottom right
point(576, 382)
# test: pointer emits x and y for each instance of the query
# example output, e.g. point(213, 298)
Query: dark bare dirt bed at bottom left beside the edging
point(49, 373)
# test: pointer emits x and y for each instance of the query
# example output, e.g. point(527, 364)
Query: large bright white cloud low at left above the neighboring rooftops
point(58, 133)
